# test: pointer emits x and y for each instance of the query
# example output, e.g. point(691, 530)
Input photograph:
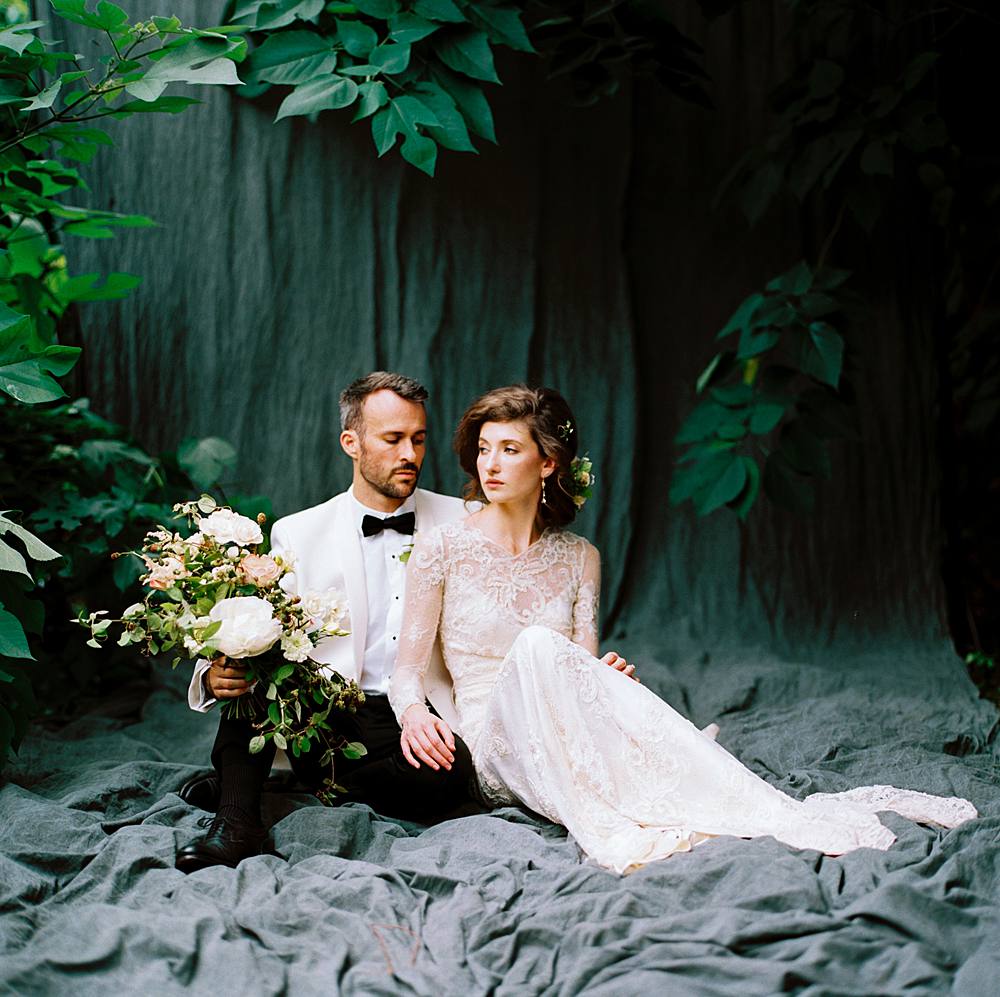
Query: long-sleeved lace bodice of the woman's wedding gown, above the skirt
point(479, 597)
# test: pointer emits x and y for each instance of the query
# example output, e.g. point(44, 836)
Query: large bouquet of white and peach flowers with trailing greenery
point(212, 593)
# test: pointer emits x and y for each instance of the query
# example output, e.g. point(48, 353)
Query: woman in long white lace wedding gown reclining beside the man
point(514, 599)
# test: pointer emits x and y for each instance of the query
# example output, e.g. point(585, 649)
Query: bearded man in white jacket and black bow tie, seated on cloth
point(357, 543)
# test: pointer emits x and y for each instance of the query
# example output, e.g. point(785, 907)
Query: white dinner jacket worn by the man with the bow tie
point(326, 549)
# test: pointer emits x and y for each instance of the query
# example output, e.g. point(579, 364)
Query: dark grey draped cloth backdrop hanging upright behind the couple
point(582, 253)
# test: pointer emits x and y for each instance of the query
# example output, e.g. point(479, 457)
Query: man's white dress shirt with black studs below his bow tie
point(385, 579)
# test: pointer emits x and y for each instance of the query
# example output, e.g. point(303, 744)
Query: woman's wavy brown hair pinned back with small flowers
point(552, 427)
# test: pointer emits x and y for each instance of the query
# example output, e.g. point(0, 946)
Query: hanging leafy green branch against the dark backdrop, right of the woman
point(772, 402)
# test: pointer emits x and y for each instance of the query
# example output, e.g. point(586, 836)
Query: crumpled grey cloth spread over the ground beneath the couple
point(502, 903)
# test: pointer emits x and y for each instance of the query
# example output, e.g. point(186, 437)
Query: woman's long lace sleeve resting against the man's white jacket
point(424, 593)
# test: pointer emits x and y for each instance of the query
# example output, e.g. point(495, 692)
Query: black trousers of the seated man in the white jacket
point(382, 778)
